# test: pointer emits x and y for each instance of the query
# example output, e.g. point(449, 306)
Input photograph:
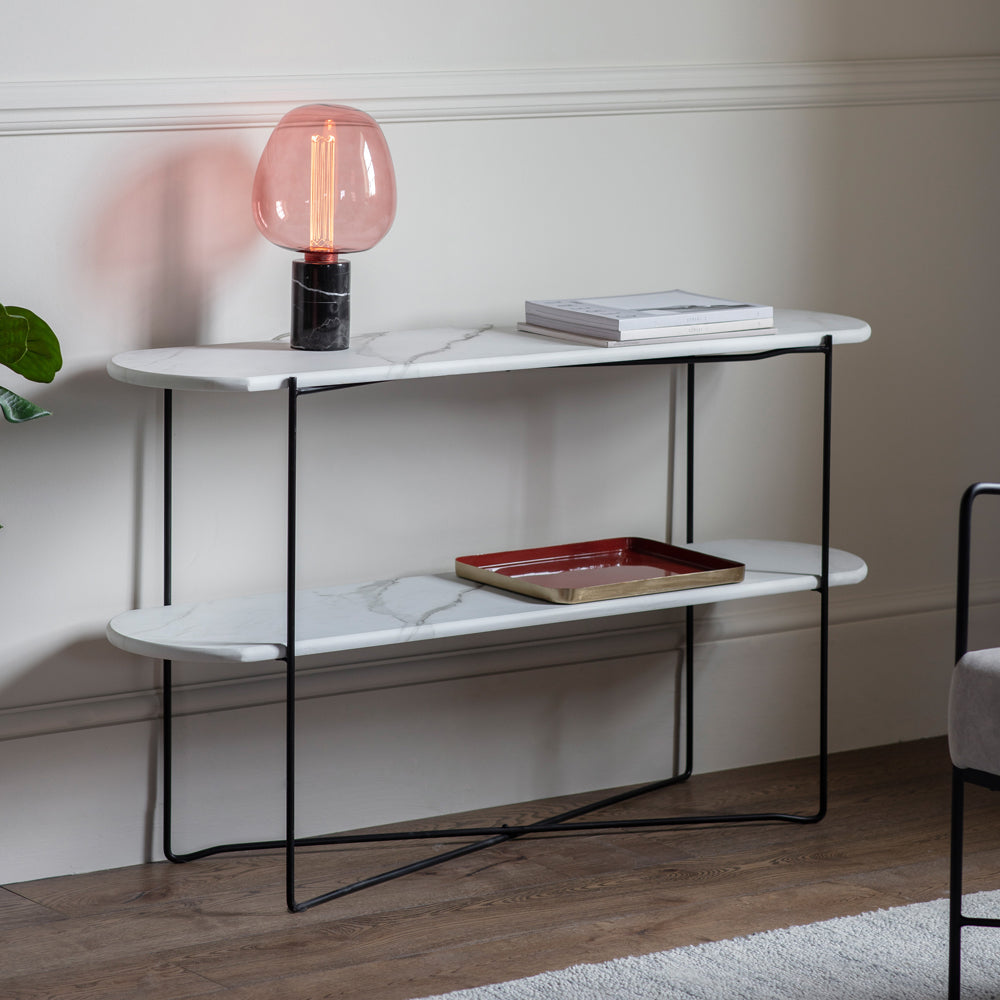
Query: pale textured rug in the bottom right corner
point(895, 954)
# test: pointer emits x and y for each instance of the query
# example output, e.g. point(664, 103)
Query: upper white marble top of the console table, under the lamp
point(404, 354)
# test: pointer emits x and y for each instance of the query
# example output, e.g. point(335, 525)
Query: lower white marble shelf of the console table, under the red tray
point(408, 609)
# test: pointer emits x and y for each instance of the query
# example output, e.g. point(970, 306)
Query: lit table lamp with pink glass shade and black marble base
point(324, 187)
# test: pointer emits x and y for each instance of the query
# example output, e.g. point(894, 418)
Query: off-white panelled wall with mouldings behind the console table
point(829, 155)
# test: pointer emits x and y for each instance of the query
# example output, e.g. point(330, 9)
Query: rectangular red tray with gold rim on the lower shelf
point(600, 570)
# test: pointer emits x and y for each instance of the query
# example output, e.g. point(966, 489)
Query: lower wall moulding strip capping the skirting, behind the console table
point(660, 636)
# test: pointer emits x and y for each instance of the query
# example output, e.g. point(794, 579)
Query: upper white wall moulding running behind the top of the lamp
point(66, 106)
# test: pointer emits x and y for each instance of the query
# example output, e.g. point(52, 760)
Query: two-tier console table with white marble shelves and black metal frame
point(288, 624)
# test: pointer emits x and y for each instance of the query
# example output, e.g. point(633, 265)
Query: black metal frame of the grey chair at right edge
point(960, 776)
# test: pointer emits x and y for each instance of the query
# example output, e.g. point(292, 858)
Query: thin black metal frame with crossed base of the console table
point(492, 835)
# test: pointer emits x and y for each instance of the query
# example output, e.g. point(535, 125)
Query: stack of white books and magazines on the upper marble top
point(652, 318)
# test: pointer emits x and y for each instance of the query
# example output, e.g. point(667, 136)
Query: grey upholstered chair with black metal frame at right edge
point(973, 734)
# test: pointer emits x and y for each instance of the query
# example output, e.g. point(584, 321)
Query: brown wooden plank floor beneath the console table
point(218, 927)
